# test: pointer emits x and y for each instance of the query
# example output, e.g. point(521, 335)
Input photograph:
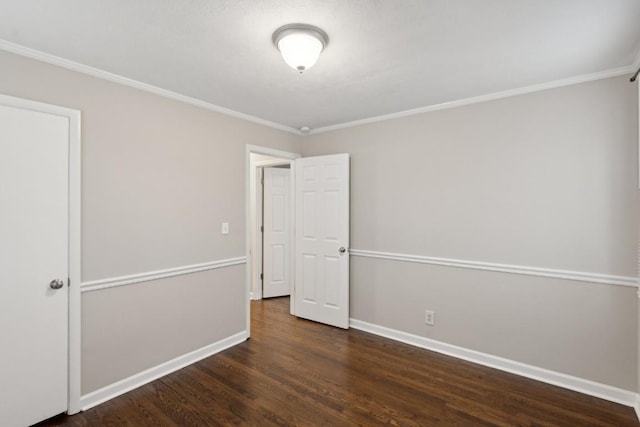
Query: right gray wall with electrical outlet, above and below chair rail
point(546, 180)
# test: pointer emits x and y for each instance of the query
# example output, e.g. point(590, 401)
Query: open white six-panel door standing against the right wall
point(322, 239)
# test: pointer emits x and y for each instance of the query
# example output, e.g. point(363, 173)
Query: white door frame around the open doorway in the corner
point(249, 167)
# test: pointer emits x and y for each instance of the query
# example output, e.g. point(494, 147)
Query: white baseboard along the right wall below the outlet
point(581, 385)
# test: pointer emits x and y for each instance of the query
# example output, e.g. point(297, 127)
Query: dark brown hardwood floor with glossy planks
point(296, 372)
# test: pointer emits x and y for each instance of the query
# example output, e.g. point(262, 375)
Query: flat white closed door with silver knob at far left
point(34, 216)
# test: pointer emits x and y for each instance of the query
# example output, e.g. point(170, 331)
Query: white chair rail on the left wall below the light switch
point(131, 279)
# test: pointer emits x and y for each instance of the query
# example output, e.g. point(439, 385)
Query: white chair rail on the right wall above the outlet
point(580, 276)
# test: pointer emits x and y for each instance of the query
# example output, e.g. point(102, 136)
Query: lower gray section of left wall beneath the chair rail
point(157, 321)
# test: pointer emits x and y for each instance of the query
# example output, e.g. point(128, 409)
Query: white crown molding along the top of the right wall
point(483, 98)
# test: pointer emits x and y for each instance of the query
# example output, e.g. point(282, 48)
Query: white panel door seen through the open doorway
point(276, 281)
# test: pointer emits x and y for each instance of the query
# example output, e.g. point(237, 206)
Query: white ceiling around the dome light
point(383, 57)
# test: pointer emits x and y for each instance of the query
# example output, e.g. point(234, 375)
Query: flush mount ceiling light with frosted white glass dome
point(300, 44)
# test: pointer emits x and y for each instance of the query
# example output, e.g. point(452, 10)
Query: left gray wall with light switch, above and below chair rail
point(158, 178)
